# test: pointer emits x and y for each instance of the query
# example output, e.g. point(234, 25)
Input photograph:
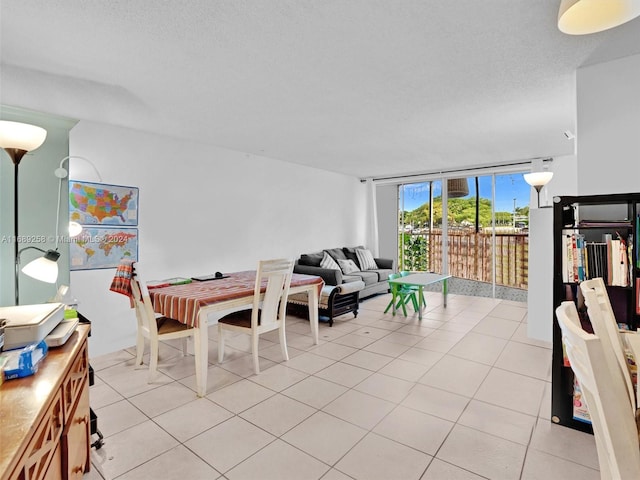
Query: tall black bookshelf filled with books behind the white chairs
point(594, 236)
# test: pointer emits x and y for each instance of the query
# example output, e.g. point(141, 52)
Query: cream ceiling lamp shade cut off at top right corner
point(580, 17)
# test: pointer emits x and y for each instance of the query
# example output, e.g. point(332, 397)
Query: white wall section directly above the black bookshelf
point(608, 127)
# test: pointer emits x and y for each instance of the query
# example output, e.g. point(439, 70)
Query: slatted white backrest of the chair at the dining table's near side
point(273, 306)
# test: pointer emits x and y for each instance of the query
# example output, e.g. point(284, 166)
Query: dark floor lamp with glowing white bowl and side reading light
point(17, 139)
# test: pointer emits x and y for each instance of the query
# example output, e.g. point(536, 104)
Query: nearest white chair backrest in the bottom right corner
point(613, 422)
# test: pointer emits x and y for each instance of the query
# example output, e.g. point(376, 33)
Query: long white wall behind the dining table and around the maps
point(205, 209)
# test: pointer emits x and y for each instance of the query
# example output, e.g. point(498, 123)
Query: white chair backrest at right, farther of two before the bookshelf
point(605, 327)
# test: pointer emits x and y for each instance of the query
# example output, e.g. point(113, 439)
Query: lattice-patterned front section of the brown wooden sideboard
point(42, 448)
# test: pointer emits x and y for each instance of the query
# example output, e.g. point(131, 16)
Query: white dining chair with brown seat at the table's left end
point(153, 327)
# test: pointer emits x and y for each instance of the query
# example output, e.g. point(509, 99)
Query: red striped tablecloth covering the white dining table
point(183, 302)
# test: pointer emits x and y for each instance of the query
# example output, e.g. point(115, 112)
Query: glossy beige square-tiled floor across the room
point(464, 394)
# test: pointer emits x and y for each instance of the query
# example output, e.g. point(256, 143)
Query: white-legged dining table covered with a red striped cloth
point(201, 303)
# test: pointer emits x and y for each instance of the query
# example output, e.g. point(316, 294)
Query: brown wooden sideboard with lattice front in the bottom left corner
point(44, 418)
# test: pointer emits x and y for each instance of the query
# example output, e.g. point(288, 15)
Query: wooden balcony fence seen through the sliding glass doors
point(471, 253)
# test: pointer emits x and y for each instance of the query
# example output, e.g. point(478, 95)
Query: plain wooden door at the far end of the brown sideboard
point(75, 438)
